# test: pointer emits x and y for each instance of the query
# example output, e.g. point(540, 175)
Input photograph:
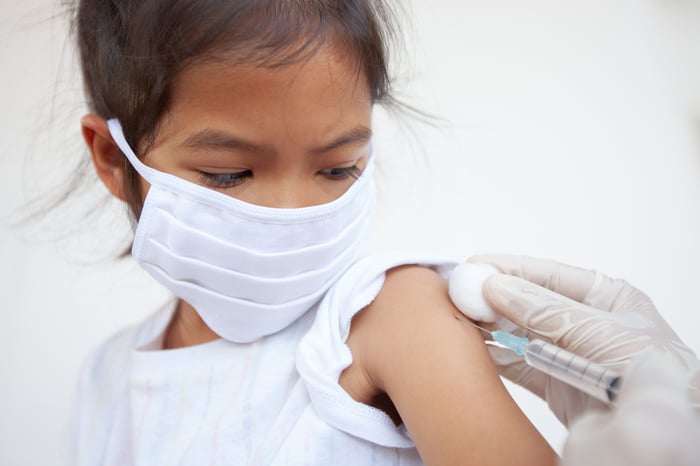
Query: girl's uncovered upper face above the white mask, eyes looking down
point(293, 136)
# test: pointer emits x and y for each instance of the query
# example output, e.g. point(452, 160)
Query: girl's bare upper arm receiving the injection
point(439, 376)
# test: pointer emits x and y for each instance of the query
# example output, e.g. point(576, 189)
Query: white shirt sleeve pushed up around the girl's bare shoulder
point(323, 353)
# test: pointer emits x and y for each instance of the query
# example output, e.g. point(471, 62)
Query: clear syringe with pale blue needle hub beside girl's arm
point(571, 369)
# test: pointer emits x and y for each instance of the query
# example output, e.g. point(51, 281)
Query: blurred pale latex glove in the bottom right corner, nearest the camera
point(651, 424)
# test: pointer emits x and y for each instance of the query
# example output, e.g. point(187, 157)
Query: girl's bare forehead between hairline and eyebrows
point(306, 100)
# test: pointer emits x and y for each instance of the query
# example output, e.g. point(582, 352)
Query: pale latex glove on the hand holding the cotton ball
point(603, 319)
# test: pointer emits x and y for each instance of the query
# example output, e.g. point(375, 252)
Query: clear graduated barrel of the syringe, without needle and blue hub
point(586, 376)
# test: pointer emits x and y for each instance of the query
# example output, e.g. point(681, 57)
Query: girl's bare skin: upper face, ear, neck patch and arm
point(288, 127)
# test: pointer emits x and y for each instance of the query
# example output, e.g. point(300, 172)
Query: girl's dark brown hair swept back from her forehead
point(132, 50)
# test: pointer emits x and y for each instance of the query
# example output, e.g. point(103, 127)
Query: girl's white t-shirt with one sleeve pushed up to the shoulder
point(275, 401)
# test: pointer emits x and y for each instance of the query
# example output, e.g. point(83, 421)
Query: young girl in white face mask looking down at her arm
point(239, 133)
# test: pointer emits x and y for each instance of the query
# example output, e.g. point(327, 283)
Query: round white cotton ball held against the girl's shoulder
point(465, 289)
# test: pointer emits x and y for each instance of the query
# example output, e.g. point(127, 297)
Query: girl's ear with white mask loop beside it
point(106, 156)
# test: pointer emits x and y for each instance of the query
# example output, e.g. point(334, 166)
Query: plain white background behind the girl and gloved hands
point(570, 131)
